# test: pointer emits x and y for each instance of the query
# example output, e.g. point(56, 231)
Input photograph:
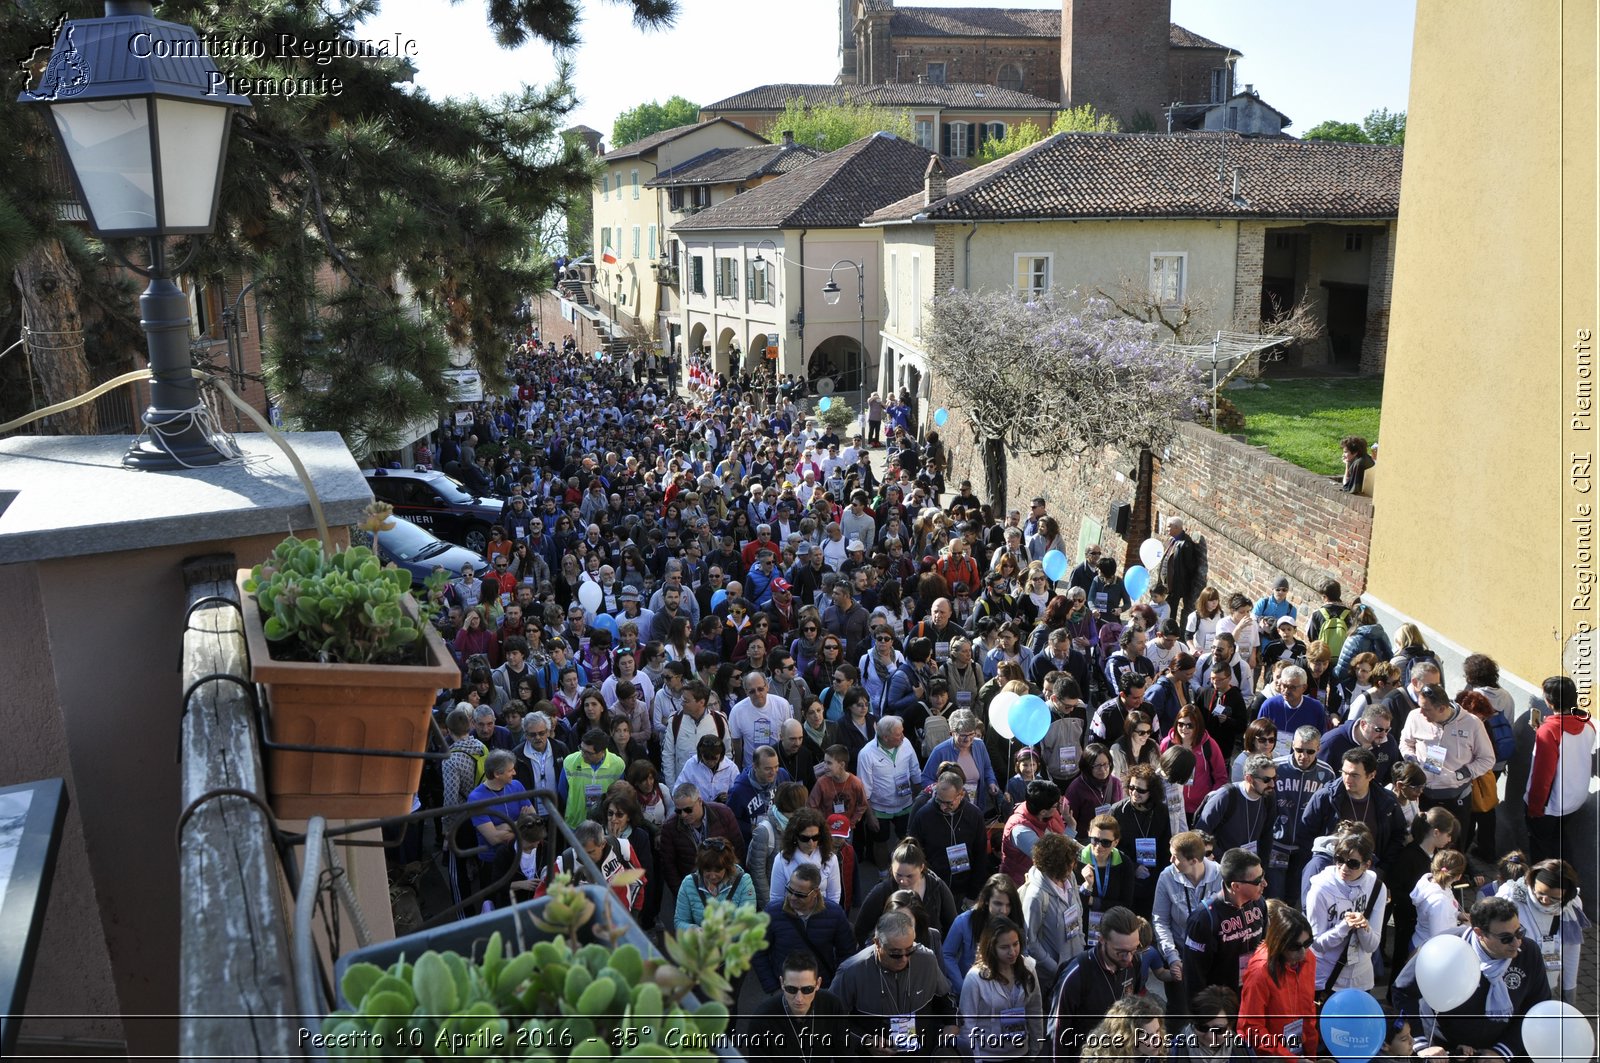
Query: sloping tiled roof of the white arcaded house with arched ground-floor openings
point(838, 190)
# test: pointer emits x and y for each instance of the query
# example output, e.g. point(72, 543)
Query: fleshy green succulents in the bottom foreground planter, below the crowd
point(558, 998)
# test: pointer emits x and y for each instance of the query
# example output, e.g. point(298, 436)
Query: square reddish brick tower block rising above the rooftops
point(1114, 55)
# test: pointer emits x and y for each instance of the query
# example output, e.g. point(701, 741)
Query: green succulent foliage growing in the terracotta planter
point(346, 608)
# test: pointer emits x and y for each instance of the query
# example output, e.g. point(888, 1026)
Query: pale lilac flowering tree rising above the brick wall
point(1057, 377)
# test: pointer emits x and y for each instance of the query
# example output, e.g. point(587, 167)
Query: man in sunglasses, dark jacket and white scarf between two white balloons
point(1511, 981)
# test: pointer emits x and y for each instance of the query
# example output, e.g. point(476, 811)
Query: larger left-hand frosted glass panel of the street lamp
point(108, 145)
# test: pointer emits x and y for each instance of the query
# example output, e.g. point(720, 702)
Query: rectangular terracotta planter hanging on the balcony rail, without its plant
point(358, 707)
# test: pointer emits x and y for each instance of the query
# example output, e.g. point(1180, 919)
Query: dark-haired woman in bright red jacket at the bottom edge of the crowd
point(1278, 1001)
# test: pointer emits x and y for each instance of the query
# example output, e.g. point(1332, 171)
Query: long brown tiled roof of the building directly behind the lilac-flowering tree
point(1145, 175)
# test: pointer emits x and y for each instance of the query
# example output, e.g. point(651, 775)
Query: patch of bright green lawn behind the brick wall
point(1305, 420)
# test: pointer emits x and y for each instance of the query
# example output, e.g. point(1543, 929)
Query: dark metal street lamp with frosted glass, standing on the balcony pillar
point(137, 110)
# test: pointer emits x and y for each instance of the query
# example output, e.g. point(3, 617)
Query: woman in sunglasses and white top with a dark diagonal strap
point(1346, 905)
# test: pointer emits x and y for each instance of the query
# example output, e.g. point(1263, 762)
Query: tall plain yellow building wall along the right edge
point(1482, 478)
